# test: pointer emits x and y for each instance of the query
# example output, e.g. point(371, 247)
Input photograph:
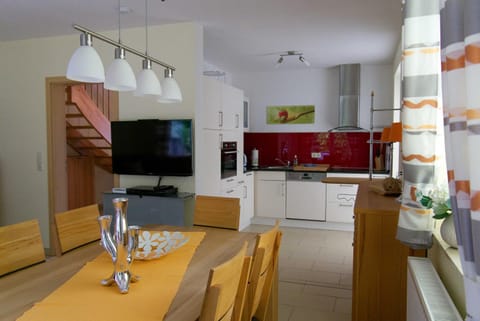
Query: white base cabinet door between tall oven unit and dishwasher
point(270, 194)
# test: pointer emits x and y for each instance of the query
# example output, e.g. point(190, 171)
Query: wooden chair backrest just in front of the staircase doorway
point(77, 227)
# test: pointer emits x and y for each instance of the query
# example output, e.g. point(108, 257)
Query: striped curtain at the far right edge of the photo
point(460, 25)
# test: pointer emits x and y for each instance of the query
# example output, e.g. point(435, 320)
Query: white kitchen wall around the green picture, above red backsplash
point(319, 87)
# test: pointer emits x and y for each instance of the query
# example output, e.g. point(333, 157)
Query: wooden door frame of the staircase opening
point(56, 143)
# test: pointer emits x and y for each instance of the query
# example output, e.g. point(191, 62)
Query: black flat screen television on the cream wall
point(152, 147)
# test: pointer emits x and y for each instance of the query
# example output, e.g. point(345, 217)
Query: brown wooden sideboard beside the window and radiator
point(379, 259)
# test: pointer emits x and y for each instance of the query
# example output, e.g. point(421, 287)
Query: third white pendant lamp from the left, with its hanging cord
point(147, 81)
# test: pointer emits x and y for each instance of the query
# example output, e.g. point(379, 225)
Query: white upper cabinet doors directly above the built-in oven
point(223, 106)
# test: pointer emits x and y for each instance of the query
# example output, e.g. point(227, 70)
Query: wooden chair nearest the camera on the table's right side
point(226, 283)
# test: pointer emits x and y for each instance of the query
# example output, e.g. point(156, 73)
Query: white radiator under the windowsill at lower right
point(427, 298)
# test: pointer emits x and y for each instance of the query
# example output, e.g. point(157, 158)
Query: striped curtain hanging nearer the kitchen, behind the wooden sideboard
point(421, 117)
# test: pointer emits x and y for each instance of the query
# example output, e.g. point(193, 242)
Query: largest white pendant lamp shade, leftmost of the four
point(85, 64)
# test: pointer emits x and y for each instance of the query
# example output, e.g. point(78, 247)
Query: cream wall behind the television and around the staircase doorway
point(25, 65)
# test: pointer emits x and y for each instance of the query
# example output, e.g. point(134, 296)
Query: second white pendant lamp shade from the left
point(120, 76)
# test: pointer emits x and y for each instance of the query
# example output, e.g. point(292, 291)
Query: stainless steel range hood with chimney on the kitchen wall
point(349, 98)
